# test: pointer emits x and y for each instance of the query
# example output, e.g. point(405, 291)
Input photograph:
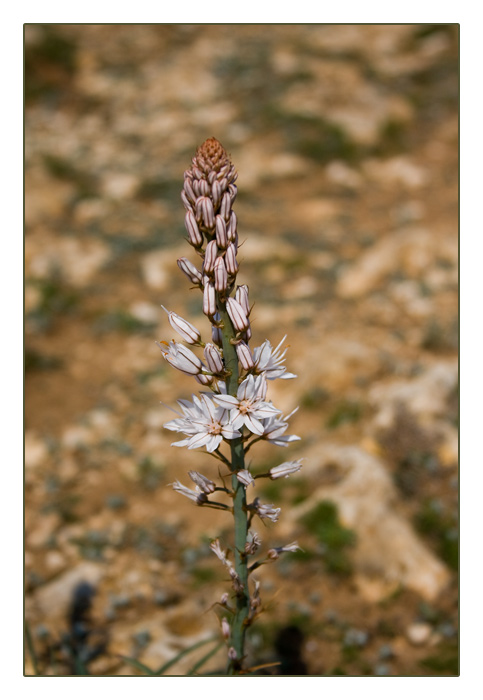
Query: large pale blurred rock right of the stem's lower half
point(387, 547)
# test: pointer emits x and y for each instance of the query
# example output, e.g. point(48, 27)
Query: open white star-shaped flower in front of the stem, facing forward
point(248, 407)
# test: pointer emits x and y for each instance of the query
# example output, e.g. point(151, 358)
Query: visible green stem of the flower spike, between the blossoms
point(239, 622)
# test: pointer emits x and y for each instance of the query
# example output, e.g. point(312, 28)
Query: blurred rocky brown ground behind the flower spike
point(345, 139)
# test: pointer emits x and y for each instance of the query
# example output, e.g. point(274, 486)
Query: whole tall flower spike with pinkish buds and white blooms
point(232, 410)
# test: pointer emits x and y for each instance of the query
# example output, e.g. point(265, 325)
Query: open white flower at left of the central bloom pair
point(204, 423)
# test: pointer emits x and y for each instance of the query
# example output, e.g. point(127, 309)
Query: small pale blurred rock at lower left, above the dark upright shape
point(54, 597)
